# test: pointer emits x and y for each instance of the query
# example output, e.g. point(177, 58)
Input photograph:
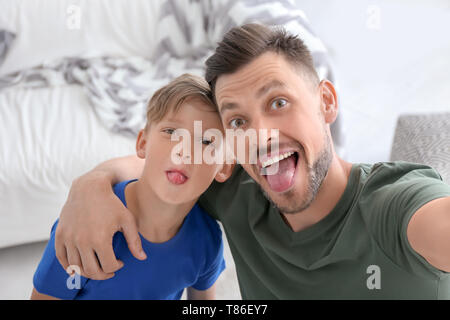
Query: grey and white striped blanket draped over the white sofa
point(188, 31)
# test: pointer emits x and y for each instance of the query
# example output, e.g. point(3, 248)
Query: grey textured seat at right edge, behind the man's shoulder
point(424, 139)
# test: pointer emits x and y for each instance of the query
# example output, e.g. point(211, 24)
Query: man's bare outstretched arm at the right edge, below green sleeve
point(429, 233)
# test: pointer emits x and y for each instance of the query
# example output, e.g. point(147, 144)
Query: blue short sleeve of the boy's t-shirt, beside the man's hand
point(50, 277)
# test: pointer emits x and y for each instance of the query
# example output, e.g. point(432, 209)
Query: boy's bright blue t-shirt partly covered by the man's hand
point(192, 258)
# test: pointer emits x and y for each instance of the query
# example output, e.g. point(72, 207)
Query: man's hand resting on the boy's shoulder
point(89, 219)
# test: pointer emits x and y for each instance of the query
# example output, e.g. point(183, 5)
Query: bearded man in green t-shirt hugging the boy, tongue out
point(320, 228)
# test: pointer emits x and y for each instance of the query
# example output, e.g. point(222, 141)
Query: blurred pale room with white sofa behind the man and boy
point(74, 77)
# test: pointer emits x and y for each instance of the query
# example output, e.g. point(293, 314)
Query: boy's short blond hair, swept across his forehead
point(170, 97)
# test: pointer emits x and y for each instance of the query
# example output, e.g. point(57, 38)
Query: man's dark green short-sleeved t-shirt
point(358, 251)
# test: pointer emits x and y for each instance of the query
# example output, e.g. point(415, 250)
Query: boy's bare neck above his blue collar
point(157, 220)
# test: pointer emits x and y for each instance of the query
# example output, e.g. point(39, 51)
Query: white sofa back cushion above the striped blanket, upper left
point(47, 30)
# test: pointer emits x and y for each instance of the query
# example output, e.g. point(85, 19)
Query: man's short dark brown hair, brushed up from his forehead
point(243, 44)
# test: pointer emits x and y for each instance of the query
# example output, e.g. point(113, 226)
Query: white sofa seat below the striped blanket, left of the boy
point(49, 136)
